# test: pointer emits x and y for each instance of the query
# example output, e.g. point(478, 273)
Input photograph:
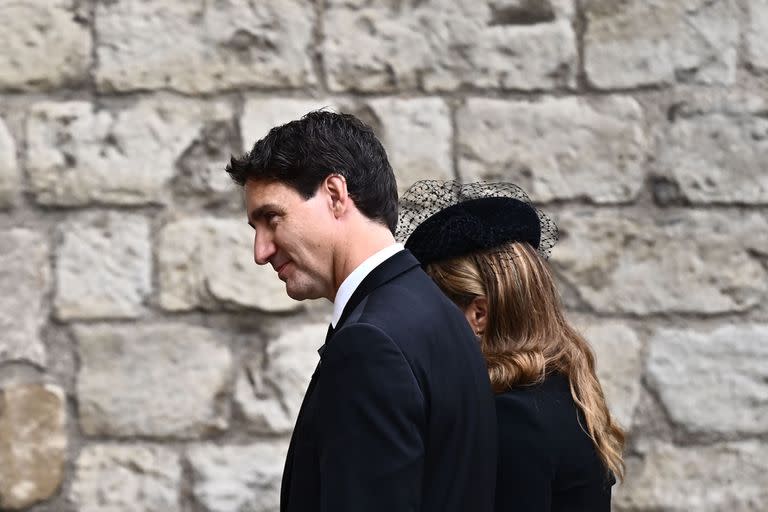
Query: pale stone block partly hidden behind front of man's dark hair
point(261, 115)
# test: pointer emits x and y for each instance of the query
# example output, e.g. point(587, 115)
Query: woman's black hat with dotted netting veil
point(441, 220)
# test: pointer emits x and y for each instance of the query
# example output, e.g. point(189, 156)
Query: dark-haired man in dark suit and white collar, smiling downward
point(399, 414)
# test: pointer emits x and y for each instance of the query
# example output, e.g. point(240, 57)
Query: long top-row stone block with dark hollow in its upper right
point(447, 44)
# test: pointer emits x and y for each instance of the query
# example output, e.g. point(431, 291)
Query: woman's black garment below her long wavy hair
point(547, 462)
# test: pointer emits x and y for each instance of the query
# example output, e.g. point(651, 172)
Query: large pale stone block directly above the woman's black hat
point(556, 148)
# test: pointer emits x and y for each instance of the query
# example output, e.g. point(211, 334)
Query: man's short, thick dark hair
point(302, 153)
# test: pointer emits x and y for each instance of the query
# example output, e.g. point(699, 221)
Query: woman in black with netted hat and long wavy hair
point(485, 246)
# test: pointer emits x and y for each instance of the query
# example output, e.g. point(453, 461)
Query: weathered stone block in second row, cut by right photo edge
point(717, 156)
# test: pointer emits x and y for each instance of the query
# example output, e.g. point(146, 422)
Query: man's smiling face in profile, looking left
point(294, 235)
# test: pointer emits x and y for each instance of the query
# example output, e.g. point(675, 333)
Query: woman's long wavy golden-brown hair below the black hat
point(527, 336)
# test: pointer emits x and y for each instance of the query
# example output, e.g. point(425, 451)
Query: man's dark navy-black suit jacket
point(399, 415)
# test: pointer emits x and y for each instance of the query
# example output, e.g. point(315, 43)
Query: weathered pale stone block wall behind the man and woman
point(147, 365)
